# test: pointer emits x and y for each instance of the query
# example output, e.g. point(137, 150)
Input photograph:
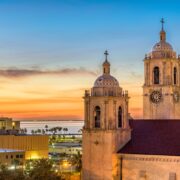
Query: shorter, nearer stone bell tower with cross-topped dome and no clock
point(106, 127)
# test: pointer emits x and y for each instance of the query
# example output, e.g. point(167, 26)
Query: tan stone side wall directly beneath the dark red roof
point(150, 167)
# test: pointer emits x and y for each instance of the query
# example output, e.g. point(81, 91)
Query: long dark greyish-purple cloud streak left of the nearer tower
point(18, 73)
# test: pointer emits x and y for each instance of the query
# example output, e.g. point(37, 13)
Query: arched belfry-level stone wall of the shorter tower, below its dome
point(109, 111)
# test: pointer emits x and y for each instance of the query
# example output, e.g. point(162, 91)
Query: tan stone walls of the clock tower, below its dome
point(167, 108)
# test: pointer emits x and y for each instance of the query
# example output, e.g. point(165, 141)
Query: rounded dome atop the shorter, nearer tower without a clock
point(106, 80)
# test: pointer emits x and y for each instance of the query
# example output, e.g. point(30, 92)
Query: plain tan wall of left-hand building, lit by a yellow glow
point(36, 146)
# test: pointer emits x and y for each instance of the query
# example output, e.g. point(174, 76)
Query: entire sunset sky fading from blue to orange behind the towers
point(52, 50)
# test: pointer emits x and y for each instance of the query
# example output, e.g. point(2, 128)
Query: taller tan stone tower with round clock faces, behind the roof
point(161, 87)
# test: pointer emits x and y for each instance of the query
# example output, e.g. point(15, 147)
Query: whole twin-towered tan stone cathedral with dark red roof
point(116, 147)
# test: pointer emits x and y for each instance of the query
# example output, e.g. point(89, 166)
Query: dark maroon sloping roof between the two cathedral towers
point(154, 137)
